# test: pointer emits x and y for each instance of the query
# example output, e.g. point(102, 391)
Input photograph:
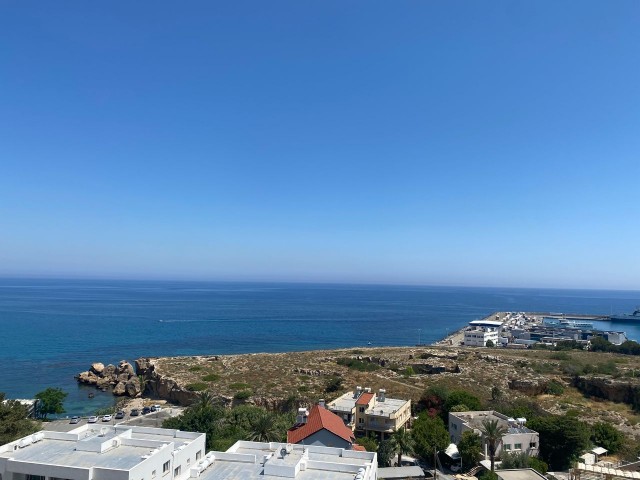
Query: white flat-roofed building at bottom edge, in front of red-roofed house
point(276, 461)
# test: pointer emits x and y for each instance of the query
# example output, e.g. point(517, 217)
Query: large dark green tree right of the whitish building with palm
point(562, 439)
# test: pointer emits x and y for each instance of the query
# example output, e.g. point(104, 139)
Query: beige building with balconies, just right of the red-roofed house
point(366, 412)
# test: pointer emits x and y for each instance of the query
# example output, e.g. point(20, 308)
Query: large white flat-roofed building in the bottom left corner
point(94, 452)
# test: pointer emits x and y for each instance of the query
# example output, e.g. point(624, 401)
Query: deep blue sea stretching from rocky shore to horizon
point(50, 330)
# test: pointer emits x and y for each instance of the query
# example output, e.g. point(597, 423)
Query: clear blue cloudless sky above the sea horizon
point(431, 142)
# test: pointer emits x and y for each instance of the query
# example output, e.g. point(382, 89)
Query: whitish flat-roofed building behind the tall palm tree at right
point(517, 439)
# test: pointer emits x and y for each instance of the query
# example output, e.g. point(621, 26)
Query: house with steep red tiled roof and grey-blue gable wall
point(320, 427)
